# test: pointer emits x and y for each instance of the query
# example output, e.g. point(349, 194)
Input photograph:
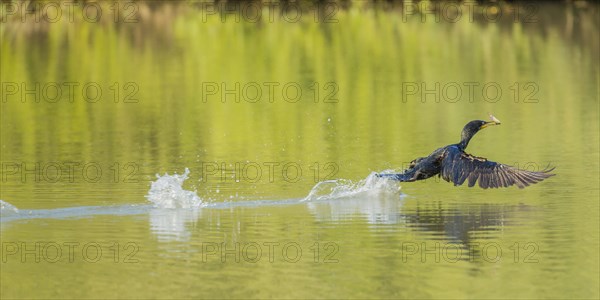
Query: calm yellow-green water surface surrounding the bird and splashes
point(179, 89)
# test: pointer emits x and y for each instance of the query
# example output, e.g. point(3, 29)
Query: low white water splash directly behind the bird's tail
point(343, 188)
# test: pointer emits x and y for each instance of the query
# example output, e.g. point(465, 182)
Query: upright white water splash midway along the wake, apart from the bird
point(167, 192)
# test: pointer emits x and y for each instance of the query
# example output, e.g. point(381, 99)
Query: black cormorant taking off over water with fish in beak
point(455, 165)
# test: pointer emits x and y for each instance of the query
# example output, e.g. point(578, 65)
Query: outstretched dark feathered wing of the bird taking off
point(458, 166)
